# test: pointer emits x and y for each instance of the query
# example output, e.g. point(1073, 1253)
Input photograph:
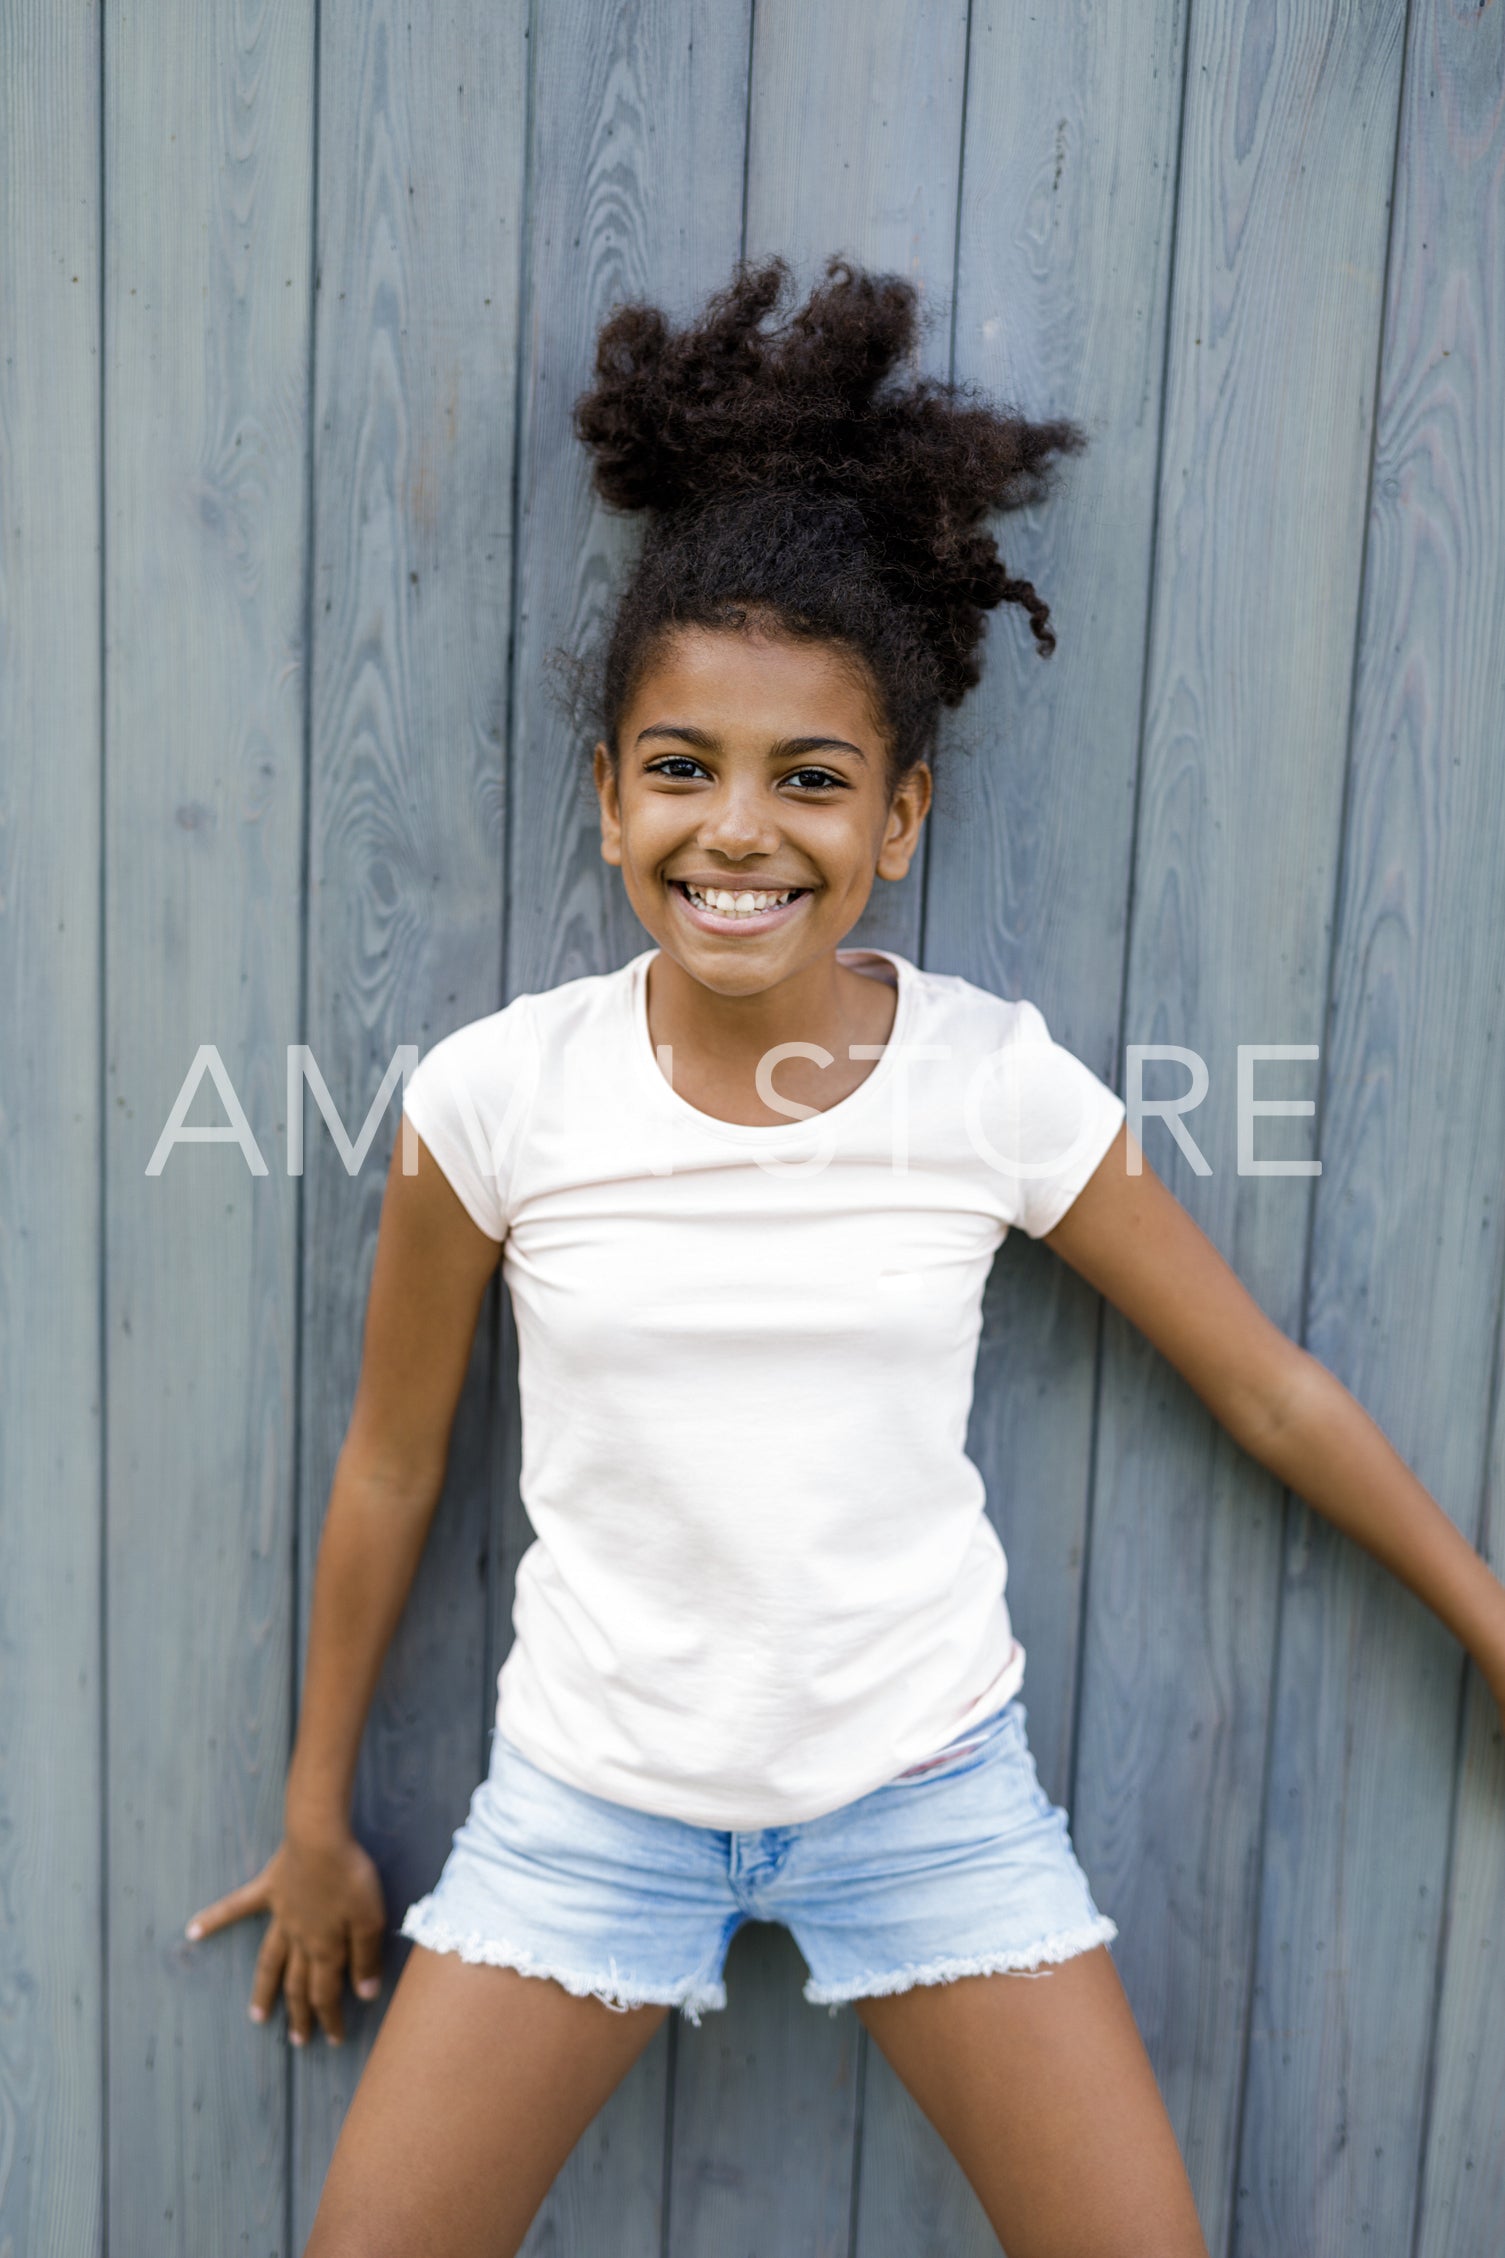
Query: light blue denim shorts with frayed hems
point(958, 1868)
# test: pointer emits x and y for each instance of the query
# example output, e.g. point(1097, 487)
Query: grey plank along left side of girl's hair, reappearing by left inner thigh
point(635, 191)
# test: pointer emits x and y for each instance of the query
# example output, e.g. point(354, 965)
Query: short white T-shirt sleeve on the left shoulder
point(470, 1101)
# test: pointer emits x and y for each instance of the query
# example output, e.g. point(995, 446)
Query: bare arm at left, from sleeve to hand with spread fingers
point(421, 1320)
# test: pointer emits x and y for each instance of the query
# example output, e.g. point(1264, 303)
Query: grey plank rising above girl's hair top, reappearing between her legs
point(854, 148)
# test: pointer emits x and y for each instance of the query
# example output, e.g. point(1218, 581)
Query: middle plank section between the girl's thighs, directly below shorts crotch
point(766, 2115)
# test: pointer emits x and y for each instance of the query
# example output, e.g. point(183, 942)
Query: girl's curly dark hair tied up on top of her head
point(795, 482)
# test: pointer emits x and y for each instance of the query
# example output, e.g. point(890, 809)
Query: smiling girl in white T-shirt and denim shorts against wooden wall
point(746, 1193)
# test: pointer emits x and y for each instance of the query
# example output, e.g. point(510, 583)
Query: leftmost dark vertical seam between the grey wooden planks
point(103, 1196)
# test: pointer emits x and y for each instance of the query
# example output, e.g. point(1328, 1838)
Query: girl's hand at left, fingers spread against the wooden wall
point(326, 1916)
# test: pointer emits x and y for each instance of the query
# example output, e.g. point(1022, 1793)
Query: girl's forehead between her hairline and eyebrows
point(755, 685)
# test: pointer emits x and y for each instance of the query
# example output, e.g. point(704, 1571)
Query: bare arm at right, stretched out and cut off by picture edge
point(1134, 1241)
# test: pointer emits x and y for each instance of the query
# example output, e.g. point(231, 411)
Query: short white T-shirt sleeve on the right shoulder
point(1041, 1119)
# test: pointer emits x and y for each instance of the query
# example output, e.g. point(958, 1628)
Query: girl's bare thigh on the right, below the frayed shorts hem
point(1041, 2088)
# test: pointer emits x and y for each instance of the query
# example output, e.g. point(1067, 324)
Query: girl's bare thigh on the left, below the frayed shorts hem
point(479, 2085)
